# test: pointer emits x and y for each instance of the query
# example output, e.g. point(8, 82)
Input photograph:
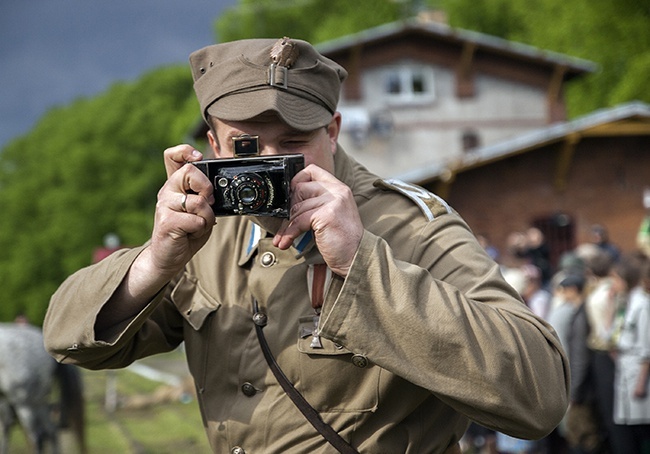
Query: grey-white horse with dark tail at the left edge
point(27, 373)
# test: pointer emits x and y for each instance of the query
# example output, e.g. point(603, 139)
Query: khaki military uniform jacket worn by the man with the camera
point(422, 335)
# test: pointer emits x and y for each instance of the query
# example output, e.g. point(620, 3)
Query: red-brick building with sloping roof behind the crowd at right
point(561, 178)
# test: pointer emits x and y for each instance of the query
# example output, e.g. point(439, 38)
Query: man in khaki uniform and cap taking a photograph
point(378, 303)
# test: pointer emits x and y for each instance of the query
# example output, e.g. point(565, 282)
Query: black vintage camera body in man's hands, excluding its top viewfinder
point(253, 186)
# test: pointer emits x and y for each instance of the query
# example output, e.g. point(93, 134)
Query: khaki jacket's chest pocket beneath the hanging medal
point(332, 378)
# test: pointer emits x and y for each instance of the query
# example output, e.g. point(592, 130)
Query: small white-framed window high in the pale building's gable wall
point(409, 84)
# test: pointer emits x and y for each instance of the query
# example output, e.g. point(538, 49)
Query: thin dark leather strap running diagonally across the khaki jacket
point(299, 401)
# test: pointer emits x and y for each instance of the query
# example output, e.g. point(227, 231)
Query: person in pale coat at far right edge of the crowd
point(632, 397)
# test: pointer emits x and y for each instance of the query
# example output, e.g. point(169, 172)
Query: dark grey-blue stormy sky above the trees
point(55, 51)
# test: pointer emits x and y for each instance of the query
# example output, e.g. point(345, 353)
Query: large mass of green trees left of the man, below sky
point(87, 169)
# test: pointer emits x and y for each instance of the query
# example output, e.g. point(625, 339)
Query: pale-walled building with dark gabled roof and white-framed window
point(420, 92)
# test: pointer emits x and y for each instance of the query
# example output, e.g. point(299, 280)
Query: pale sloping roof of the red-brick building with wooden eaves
point(626, 119)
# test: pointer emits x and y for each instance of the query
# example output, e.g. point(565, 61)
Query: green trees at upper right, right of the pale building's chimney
point(613, 33)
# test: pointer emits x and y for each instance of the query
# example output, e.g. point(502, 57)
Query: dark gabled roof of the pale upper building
point(574, 66)
